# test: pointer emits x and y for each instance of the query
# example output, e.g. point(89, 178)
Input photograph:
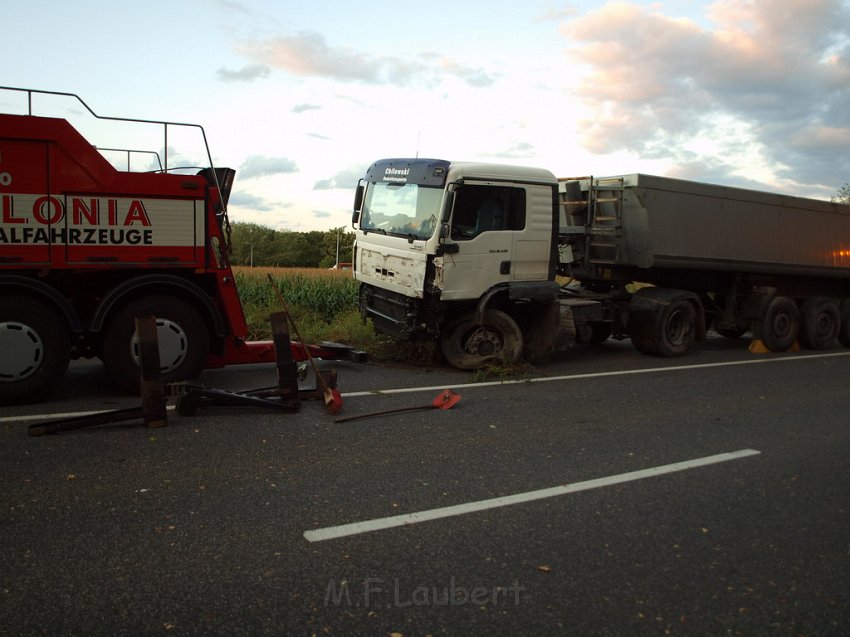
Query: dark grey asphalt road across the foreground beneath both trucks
point(245, 522)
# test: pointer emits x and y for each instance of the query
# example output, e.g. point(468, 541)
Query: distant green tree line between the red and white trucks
point(255, 244)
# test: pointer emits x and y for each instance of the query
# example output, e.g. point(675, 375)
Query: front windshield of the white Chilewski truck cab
point(407, 210)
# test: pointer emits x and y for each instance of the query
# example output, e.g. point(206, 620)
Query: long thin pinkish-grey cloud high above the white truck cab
point(308, 54)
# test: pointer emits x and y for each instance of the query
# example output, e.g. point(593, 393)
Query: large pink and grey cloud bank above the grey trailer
point(766, 79)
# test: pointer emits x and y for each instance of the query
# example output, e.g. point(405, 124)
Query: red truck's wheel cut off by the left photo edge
point(36, 349)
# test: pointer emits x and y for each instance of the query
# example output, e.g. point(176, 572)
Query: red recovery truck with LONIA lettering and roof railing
point(87, 246)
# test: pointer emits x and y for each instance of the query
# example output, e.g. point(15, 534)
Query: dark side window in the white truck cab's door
point(480, 209)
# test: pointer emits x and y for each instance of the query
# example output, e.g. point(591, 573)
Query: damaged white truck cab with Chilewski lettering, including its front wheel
point(463, 253)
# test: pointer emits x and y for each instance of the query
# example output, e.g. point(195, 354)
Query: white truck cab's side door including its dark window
point(484, 222)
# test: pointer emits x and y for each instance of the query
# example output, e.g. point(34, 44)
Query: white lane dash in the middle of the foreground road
point(367, 526)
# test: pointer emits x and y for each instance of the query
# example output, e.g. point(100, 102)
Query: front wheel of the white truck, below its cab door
point(468, 345)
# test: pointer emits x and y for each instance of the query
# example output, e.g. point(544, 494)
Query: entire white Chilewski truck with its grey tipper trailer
point(496, 262)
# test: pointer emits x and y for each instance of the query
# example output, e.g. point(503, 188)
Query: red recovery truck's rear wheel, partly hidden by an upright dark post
point(182, 334)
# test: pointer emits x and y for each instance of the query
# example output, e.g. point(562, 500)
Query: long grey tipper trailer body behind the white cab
point(643, 221)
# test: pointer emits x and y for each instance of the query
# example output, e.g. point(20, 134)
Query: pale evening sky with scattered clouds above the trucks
point(301, 97)
